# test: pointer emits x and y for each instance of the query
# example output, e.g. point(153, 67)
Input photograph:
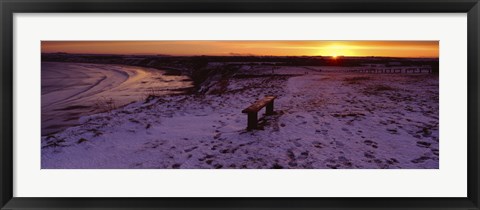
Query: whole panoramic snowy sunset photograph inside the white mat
point(294, 104)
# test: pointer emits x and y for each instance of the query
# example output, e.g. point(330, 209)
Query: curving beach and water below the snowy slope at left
point(66, 96)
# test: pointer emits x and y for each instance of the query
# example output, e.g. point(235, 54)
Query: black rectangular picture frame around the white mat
point(9, 7)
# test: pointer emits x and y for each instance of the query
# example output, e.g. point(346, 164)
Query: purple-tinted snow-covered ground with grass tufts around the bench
point(324, 119)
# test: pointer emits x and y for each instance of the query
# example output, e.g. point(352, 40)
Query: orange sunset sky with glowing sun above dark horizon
point(274, 48)
